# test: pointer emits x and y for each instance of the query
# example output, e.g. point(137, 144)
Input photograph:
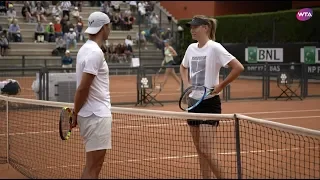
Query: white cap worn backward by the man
point(95, 22)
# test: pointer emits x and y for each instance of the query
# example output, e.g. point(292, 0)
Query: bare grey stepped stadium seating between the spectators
point(43, 50)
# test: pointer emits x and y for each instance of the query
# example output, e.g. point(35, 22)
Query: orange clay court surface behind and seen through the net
point(149, 147)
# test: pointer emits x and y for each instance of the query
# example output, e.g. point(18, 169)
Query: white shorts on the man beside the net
point(96, 132)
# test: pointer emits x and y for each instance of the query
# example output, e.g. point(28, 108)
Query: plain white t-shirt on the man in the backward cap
point(90, 59)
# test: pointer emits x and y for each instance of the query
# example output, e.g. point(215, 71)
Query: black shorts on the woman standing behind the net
point(212, 106)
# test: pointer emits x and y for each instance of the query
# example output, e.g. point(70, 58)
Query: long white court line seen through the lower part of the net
point(182, 157)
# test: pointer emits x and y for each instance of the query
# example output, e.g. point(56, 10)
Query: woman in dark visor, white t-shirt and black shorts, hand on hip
point(204, 60)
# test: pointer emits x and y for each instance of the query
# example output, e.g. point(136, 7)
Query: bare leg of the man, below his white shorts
point(94, 162)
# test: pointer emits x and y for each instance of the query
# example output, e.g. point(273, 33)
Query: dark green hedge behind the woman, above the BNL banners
point(259, 28)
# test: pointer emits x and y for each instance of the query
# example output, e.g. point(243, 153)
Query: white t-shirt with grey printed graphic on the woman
point(205, 63)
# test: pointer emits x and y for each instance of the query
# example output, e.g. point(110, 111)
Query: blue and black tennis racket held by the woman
point(192, 97)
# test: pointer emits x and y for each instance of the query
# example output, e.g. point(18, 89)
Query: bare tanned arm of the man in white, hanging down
point(82, 91)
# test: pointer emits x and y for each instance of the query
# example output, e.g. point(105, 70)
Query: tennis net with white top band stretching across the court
point(156, 144)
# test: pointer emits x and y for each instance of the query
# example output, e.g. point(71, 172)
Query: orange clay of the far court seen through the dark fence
point(123, 88)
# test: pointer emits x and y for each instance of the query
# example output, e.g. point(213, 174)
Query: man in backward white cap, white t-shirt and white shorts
point(92, 106)
